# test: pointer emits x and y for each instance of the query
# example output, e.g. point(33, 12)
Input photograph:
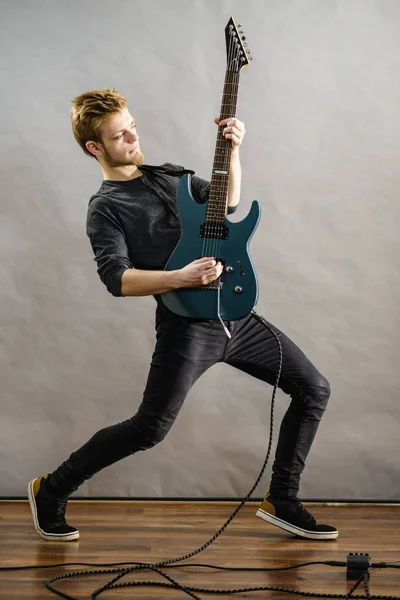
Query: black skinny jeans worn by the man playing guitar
point(185, 349)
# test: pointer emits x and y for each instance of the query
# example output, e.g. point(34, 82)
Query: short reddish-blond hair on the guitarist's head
point(90, 110)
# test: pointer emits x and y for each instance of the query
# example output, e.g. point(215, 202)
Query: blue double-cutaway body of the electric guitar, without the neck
point(238, 289)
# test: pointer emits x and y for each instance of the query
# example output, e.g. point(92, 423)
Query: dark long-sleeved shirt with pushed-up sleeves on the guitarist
point(135, 224)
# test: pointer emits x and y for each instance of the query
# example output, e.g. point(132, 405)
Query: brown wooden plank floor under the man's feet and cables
point(155, 531)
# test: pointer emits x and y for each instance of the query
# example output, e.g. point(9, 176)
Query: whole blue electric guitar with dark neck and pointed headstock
point(205, 229)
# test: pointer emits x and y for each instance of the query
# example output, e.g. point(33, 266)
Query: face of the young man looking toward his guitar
point(120, 141)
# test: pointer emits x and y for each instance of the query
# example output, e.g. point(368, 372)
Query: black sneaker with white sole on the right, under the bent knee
point(292, 516)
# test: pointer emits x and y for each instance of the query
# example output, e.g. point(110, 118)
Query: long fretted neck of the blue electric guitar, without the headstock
point(217, 203)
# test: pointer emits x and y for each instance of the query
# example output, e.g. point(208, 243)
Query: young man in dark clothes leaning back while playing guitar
point(133, 226)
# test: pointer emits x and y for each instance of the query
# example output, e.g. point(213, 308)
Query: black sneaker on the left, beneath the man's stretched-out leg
point(49, 513)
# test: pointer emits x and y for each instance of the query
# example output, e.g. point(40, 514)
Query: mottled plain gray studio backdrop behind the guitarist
point(322, 151)
